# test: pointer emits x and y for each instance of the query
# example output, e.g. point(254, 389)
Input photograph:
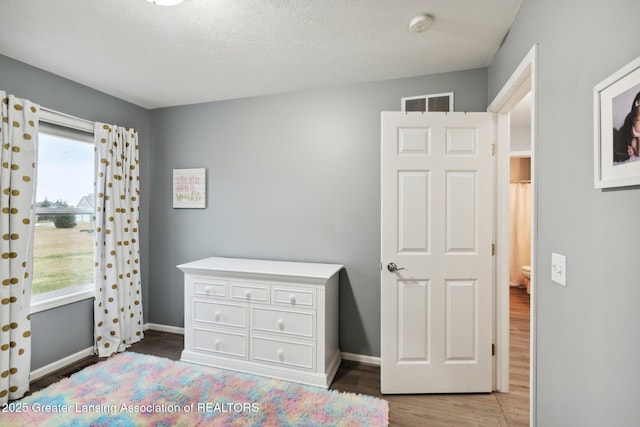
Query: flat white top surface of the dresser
point(254, 266)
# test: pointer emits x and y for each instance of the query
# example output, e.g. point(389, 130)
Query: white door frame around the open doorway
point(522, 81)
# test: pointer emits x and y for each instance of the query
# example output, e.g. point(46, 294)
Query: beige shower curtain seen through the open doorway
point(520, 231)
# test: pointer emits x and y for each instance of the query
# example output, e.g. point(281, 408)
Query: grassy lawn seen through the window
point(63, 257)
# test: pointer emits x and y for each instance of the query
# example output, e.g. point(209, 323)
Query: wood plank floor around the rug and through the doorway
point(440, 410)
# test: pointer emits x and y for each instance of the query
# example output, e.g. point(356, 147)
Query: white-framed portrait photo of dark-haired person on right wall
point(616, 120)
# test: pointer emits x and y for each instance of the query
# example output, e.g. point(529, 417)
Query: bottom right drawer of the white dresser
point(286, 353)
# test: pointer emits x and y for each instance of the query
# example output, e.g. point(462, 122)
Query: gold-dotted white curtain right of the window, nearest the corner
point(118, 303)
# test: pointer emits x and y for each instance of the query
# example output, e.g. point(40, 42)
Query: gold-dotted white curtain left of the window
point(19, 136)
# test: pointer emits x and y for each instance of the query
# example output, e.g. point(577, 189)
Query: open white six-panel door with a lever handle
point(436, 279)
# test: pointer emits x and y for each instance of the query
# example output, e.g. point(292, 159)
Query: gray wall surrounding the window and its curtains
point(65, 96)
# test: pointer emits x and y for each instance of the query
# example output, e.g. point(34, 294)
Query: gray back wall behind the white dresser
point(290, 177)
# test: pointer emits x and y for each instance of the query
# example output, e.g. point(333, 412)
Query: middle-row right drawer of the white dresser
point(298, 323)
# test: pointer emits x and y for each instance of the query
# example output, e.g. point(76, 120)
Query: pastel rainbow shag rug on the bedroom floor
point(132, 389)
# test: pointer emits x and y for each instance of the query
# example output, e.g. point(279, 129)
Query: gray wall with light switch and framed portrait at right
point(588, 340)
